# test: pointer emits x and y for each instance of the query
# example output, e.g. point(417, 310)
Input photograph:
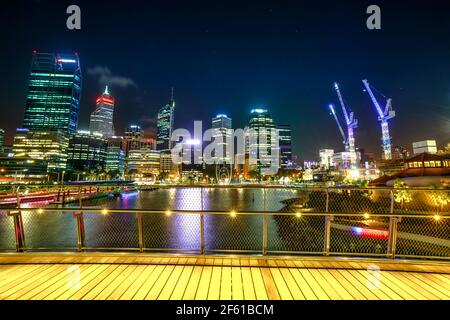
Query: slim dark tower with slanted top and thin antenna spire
point(165, 123)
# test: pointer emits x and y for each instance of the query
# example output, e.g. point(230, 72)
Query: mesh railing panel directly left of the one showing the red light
point(292, 233)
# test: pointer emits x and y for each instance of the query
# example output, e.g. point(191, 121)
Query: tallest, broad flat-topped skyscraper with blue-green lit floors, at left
point(54, 92)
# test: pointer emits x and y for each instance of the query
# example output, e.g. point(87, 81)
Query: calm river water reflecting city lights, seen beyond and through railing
point(182, 231)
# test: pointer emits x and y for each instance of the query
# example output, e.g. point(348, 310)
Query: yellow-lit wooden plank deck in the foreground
point(138, 277)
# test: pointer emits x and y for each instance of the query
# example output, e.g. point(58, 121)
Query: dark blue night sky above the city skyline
point(230, 56)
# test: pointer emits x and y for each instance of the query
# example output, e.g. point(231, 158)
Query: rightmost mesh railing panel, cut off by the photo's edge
point(423, 237)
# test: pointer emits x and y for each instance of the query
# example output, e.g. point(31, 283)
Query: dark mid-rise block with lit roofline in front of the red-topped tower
point(87, 151)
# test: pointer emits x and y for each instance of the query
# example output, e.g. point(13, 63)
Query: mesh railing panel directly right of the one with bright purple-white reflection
point(233, 232)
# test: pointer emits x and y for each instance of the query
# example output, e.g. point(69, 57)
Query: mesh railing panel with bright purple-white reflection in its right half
point(174, 231)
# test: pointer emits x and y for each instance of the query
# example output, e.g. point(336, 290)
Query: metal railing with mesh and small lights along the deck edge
point(267, 221)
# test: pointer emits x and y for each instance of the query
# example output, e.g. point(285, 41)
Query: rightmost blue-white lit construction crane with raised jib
point(383, 117)
